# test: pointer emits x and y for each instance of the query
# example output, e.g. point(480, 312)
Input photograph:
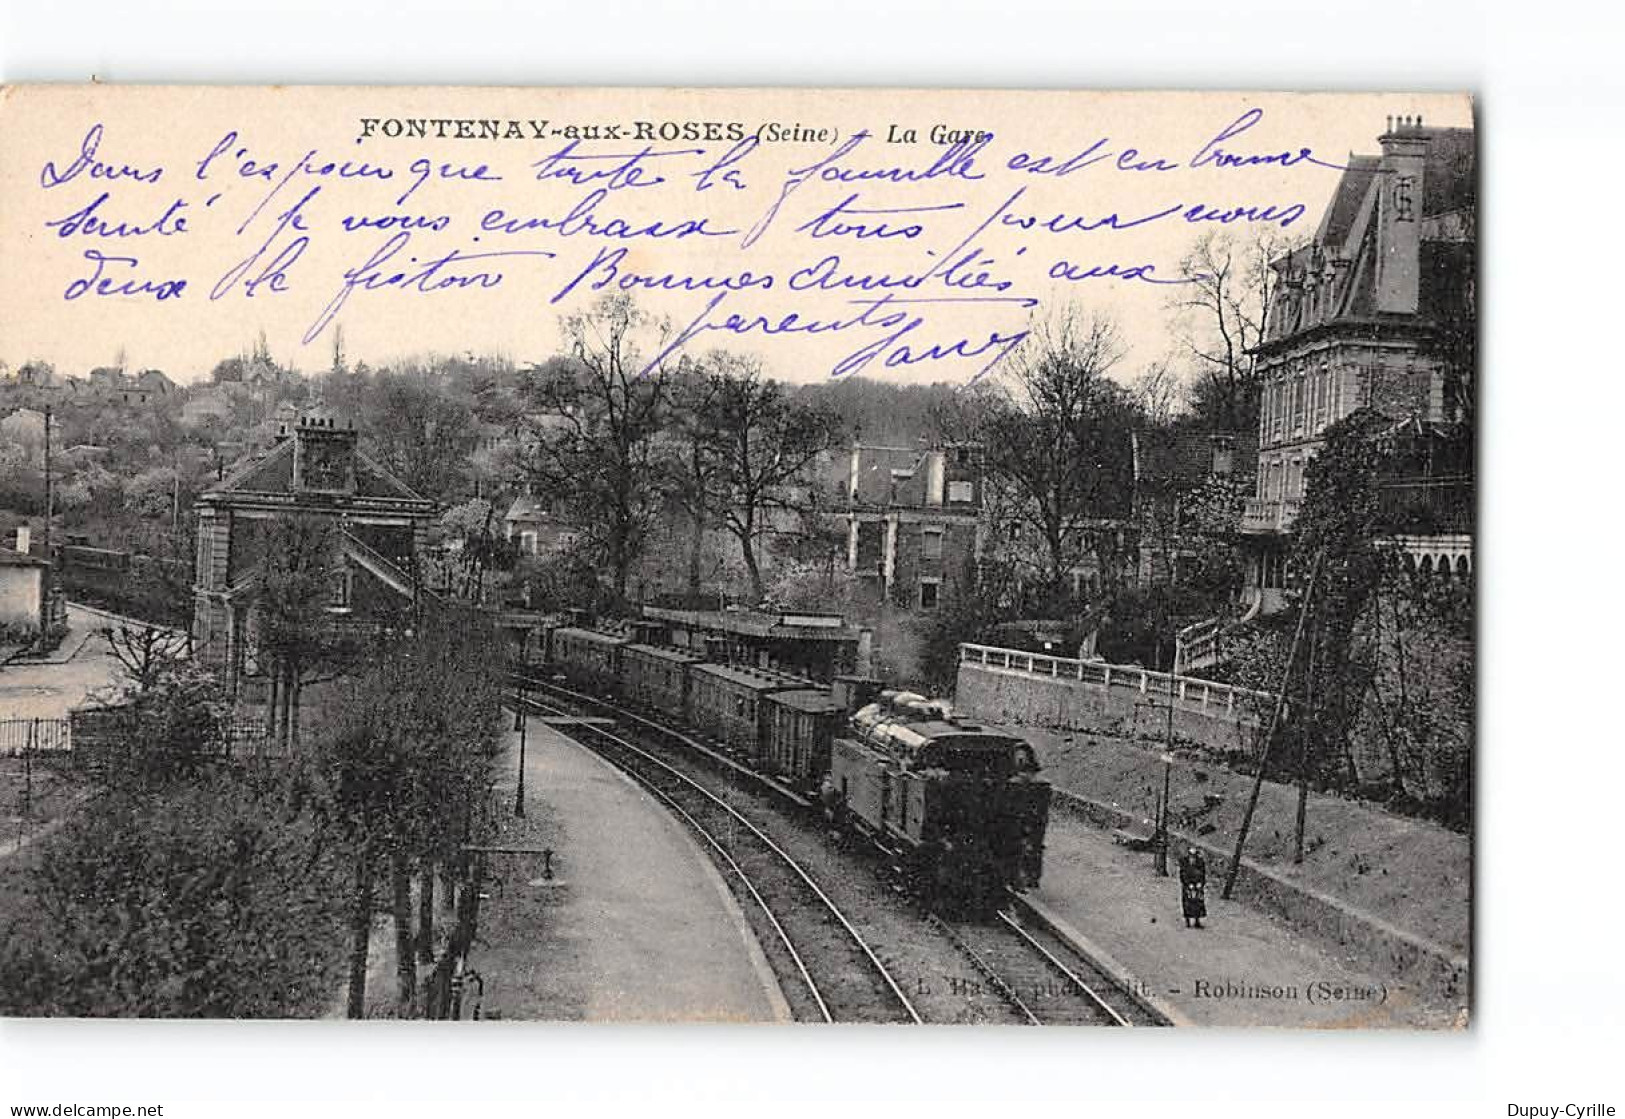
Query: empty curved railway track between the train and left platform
point(834, 974)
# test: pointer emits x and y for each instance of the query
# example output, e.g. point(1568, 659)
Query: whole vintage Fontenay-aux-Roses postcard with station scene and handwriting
point(739, 556)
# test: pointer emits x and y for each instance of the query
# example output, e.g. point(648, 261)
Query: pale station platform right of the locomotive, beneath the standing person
point(1242, 969)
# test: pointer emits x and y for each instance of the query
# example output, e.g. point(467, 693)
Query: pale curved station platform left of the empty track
point(633, 927)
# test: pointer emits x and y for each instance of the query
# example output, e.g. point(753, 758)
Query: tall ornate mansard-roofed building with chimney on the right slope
point(1376, 313)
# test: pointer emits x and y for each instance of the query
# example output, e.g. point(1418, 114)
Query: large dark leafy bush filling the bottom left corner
point(214, 901)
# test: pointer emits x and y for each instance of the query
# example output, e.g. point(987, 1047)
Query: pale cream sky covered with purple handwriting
point(184, 205)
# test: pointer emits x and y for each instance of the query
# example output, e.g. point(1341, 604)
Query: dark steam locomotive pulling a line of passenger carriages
point(958, 810)
